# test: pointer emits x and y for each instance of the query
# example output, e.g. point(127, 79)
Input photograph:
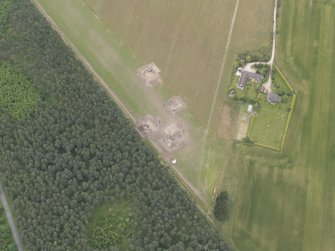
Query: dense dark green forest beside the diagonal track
point(67, 153)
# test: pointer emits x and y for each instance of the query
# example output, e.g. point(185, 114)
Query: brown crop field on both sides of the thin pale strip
point(186, 39)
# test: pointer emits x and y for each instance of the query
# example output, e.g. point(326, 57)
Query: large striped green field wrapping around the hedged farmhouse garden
point(286, 201)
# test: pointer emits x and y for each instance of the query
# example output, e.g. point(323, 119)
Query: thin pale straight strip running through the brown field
point(218, 84)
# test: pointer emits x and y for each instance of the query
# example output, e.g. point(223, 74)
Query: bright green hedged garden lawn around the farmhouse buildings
point(269, 122)
